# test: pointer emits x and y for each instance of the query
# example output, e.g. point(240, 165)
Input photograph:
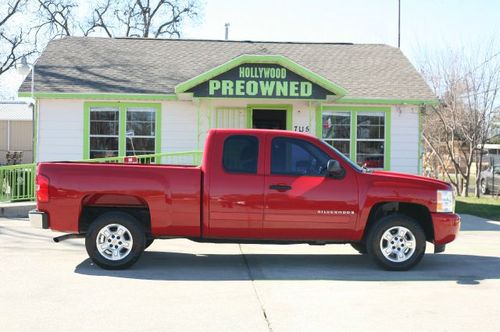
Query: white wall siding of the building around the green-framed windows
point(185, 125)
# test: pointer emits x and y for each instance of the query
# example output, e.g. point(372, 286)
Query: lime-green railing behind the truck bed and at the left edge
point(17, 182)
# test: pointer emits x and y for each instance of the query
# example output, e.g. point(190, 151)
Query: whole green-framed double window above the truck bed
point(119, 129)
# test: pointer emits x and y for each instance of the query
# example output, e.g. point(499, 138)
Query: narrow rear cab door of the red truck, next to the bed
point(236, 186)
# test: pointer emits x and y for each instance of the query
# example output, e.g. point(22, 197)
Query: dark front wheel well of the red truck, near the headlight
point(417, 212)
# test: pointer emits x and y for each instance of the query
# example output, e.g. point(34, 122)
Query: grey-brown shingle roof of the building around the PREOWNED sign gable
point(156, 66)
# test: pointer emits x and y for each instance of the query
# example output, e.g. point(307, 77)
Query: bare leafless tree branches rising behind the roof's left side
point(121, 18)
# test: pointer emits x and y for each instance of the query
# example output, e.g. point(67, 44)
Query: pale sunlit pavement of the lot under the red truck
point(181, 285)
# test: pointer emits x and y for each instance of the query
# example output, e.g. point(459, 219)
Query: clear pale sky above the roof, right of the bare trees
point(428, 27)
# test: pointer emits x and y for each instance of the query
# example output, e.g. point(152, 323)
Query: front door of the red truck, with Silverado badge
point(300, 201)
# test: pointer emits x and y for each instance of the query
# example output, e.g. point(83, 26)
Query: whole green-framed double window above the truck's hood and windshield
point(358, 134)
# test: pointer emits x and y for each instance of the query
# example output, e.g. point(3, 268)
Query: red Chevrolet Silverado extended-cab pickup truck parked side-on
point(253, 186)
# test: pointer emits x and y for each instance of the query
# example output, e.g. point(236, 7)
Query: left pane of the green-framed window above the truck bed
point(104, 132)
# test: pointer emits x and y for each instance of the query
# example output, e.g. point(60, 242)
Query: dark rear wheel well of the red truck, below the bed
point(90, 213)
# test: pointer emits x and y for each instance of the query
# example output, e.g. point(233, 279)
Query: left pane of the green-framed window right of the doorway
point(337, 131)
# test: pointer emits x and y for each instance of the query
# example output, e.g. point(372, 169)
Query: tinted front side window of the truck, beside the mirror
point(297, 157)
